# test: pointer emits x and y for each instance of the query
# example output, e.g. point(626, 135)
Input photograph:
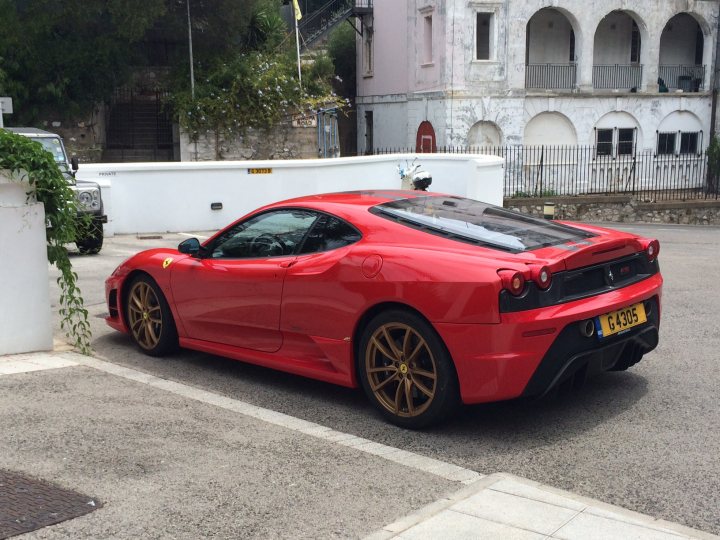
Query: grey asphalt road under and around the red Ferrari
point(646, 439)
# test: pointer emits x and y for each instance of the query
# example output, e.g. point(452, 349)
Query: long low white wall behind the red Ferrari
point(175, 197)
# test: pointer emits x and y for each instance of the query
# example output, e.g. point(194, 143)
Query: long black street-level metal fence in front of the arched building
point(546, 171)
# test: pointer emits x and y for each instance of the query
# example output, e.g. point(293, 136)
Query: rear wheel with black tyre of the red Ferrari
point(406, 370)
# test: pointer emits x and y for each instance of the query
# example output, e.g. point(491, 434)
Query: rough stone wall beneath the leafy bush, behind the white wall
point(281, 142)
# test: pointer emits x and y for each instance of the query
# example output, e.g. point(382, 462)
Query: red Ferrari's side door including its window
point(231, 294)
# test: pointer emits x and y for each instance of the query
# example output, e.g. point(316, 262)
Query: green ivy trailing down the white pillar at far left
point(22, 157)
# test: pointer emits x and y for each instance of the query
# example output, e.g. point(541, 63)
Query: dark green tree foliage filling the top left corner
point(66, 56)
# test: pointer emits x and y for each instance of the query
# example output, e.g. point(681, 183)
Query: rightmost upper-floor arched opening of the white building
point(682, 45)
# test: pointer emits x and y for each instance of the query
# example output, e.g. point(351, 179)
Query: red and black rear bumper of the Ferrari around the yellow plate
point(530, 352)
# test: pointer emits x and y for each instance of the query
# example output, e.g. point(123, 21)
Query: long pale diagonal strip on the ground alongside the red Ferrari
point(448, 471)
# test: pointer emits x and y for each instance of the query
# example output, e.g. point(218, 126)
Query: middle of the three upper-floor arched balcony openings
point(617, 52)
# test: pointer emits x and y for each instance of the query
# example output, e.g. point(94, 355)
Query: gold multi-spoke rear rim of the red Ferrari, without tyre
point(401, 369)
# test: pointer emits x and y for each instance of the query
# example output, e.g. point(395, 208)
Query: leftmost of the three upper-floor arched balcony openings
point(550, 51)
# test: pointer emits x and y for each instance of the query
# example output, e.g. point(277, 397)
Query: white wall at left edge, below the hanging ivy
point(25, 318)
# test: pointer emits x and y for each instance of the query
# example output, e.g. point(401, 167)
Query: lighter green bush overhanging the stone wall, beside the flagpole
point(255, 87)
